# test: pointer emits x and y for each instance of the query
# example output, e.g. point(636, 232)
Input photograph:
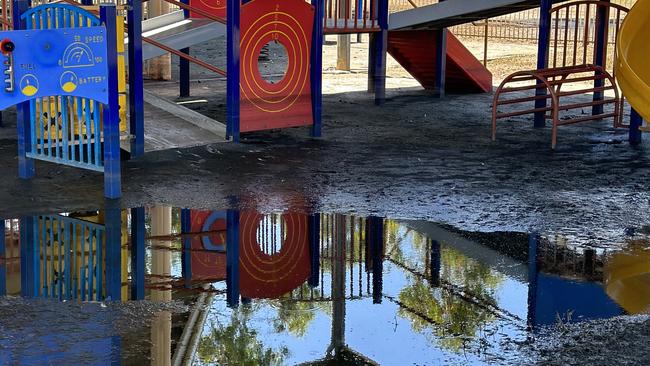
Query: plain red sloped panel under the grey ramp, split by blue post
point(465, 73)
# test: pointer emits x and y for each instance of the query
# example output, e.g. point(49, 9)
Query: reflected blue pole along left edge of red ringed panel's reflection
point(232, 258)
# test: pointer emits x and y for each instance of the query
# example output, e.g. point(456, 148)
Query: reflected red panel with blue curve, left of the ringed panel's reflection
point(206, 262)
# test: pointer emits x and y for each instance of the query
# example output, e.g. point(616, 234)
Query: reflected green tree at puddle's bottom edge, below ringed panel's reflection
point(237, 344)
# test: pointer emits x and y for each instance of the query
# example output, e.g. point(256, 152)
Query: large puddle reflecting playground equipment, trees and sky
point(165, 285)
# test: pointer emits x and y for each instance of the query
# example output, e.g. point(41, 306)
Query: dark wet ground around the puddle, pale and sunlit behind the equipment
point(414, 157)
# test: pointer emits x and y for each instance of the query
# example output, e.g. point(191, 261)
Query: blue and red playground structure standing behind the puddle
point(86, 139)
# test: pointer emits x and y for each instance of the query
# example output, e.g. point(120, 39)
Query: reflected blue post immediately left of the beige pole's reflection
point(137, 253)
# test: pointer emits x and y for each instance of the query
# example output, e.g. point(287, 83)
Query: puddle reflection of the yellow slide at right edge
point(627, 279)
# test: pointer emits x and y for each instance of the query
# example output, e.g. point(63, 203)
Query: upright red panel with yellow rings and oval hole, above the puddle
point(286, 103)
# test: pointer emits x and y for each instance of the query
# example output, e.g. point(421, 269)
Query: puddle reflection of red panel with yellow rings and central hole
point(270, 276)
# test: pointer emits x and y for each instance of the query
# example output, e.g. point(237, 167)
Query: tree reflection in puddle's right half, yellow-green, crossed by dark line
point(450, 317)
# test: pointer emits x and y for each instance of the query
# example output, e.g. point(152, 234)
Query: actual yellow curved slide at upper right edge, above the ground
point(633, 58)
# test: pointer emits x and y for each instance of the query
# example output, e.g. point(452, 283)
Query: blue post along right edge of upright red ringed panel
point(317, 68)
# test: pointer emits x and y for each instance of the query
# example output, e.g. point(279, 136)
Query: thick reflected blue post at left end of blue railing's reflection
point(29, 258)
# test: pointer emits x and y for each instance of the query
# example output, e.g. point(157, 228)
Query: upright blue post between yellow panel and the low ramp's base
point(136, 82)
